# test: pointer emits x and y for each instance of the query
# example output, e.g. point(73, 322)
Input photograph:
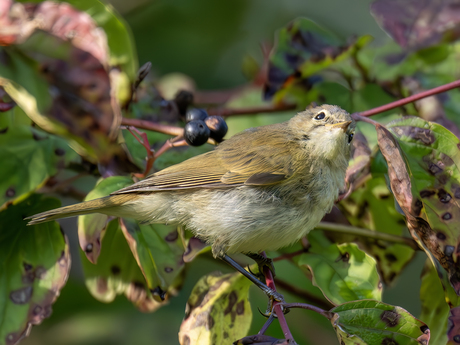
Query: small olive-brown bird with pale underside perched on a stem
point(262, 189)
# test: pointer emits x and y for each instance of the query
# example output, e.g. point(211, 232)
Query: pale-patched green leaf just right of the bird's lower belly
point(343, 272)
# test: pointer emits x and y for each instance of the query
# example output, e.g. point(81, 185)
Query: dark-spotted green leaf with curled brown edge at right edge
point(423, 160)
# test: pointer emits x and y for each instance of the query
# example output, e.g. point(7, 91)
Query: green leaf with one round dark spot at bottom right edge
point(373, 322)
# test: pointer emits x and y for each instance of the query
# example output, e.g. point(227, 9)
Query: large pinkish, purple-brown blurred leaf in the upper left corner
point(67, 55)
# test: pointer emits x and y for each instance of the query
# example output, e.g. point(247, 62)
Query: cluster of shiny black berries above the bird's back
point(200, 127)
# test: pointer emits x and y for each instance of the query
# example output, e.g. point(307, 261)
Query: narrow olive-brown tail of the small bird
point(106, 205)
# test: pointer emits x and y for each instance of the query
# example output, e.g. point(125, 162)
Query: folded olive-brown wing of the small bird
point(257, 157)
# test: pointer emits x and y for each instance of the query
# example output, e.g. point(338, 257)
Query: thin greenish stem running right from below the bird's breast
point(353, 230)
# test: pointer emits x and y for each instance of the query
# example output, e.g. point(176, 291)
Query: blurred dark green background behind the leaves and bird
point(208, 41)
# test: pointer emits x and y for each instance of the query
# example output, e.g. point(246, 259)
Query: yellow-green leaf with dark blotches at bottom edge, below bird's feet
point(218, 310)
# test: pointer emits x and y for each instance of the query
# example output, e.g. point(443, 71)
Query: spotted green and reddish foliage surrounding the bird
point(70, 69)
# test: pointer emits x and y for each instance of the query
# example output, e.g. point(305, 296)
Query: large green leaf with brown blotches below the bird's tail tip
point(34, 265)
